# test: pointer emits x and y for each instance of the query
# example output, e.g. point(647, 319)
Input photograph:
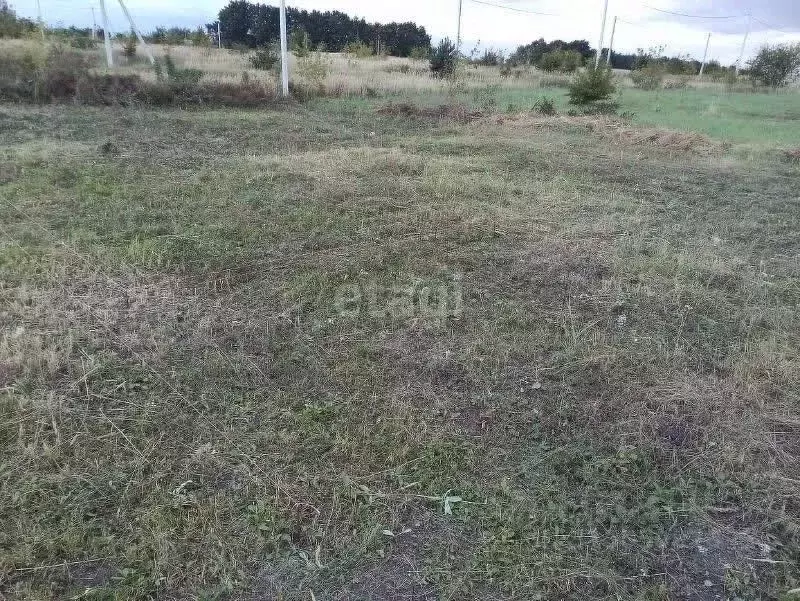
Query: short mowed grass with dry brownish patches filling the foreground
point(200, 399)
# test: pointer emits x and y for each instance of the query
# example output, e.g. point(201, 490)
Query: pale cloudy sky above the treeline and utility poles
point(641, 26)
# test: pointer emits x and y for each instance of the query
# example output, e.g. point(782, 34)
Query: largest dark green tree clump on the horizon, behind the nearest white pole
point(256, 25)
